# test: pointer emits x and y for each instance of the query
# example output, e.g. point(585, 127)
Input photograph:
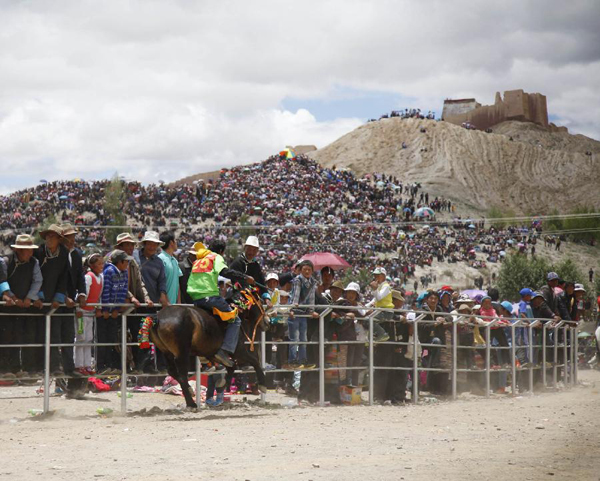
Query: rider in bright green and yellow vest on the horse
point(203, 288)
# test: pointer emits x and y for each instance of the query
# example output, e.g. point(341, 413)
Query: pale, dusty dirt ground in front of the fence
point(548, 436)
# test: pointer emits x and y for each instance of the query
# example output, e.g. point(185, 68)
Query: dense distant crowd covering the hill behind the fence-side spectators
point(293, 204)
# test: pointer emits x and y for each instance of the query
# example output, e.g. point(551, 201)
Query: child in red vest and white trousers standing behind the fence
point(84, 330)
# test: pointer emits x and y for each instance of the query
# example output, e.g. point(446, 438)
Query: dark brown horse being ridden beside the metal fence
point(182, 332)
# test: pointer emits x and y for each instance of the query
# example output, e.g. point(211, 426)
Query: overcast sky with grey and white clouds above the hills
point(163, 89)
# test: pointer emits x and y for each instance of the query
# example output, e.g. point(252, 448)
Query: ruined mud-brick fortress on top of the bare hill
point(516, 105)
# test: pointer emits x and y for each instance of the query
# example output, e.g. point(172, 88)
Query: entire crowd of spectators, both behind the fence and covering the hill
point(294, 206)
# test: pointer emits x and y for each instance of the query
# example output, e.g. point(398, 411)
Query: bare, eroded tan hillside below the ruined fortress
point(533, 173)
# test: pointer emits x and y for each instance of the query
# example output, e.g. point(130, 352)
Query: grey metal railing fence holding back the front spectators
point(568, 346)
